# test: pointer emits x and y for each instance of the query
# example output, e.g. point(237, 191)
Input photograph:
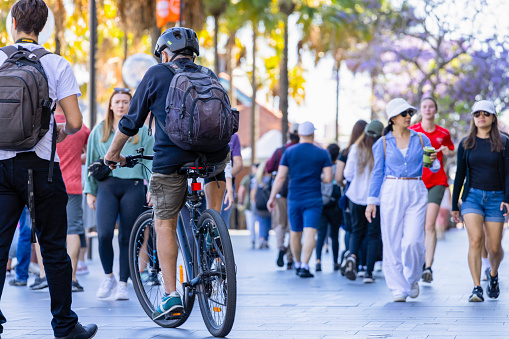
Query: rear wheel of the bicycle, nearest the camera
point(216, 249)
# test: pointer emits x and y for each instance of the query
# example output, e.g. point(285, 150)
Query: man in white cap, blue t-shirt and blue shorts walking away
point(308, 166)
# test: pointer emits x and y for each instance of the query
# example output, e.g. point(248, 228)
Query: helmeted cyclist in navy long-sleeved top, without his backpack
point(167, 188)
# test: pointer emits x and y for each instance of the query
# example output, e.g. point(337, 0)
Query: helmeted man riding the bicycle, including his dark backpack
point(193, 120)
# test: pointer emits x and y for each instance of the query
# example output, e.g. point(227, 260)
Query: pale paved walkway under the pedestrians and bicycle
point(275, 303)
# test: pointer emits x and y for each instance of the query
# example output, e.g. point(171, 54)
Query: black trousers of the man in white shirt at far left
point(51, 229)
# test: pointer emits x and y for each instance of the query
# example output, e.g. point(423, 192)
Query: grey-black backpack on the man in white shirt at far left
point(25, 105)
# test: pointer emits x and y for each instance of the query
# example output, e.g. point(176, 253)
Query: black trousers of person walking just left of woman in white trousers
point(362, 229)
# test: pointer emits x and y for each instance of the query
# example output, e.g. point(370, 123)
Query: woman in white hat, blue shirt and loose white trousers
point(397, 186)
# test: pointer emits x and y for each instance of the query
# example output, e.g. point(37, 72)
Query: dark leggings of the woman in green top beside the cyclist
point(123, 199)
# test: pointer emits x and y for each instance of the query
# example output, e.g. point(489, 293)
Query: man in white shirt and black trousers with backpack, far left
point(31, 81)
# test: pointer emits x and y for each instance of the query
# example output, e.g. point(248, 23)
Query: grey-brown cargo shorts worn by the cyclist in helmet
point(168, 192)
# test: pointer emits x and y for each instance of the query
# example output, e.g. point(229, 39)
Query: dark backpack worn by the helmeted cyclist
point(198, 113)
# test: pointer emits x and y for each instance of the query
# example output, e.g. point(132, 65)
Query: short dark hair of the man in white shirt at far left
point(30, 15)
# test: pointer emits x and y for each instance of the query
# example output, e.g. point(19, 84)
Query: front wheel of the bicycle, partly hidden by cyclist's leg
point(148, 284)
